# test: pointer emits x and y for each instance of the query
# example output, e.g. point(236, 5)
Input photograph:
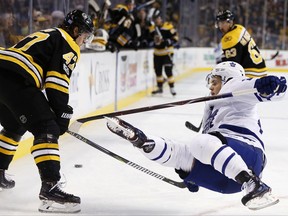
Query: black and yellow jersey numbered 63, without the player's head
point(239, 46)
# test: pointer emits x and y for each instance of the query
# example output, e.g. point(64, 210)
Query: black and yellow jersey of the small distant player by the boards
point(166, 31)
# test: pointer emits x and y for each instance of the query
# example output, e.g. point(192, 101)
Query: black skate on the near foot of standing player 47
point(54, 200)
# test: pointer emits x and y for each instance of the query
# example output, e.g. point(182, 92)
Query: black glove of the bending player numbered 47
point(63, 118)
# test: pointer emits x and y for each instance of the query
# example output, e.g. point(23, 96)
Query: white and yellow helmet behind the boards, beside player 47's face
point(100, 40)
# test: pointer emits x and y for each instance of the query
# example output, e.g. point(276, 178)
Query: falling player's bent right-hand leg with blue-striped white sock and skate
point(231, 158)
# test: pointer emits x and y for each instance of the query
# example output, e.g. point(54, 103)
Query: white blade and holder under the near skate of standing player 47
point(48, 206)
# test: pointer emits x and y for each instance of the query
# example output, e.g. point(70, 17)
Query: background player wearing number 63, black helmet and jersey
point(238, 45)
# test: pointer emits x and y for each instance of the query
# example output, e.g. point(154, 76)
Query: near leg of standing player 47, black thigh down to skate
point(45, 151)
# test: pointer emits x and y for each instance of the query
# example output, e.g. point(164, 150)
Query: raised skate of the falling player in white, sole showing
point(129, 132)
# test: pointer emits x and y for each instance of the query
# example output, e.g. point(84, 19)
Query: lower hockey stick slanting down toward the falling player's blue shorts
point(124, 160)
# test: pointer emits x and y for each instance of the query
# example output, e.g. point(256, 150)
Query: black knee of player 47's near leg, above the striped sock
point(46, 127)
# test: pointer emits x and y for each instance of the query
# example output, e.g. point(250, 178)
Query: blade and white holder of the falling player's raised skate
point(115, 125)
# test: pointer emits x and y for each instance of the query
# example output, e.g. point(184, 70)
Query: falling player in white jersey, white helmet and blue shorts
point(229, 156)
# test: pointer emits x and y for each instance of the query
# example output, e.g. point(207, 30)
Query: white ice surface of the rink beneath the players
point(109, 187)
